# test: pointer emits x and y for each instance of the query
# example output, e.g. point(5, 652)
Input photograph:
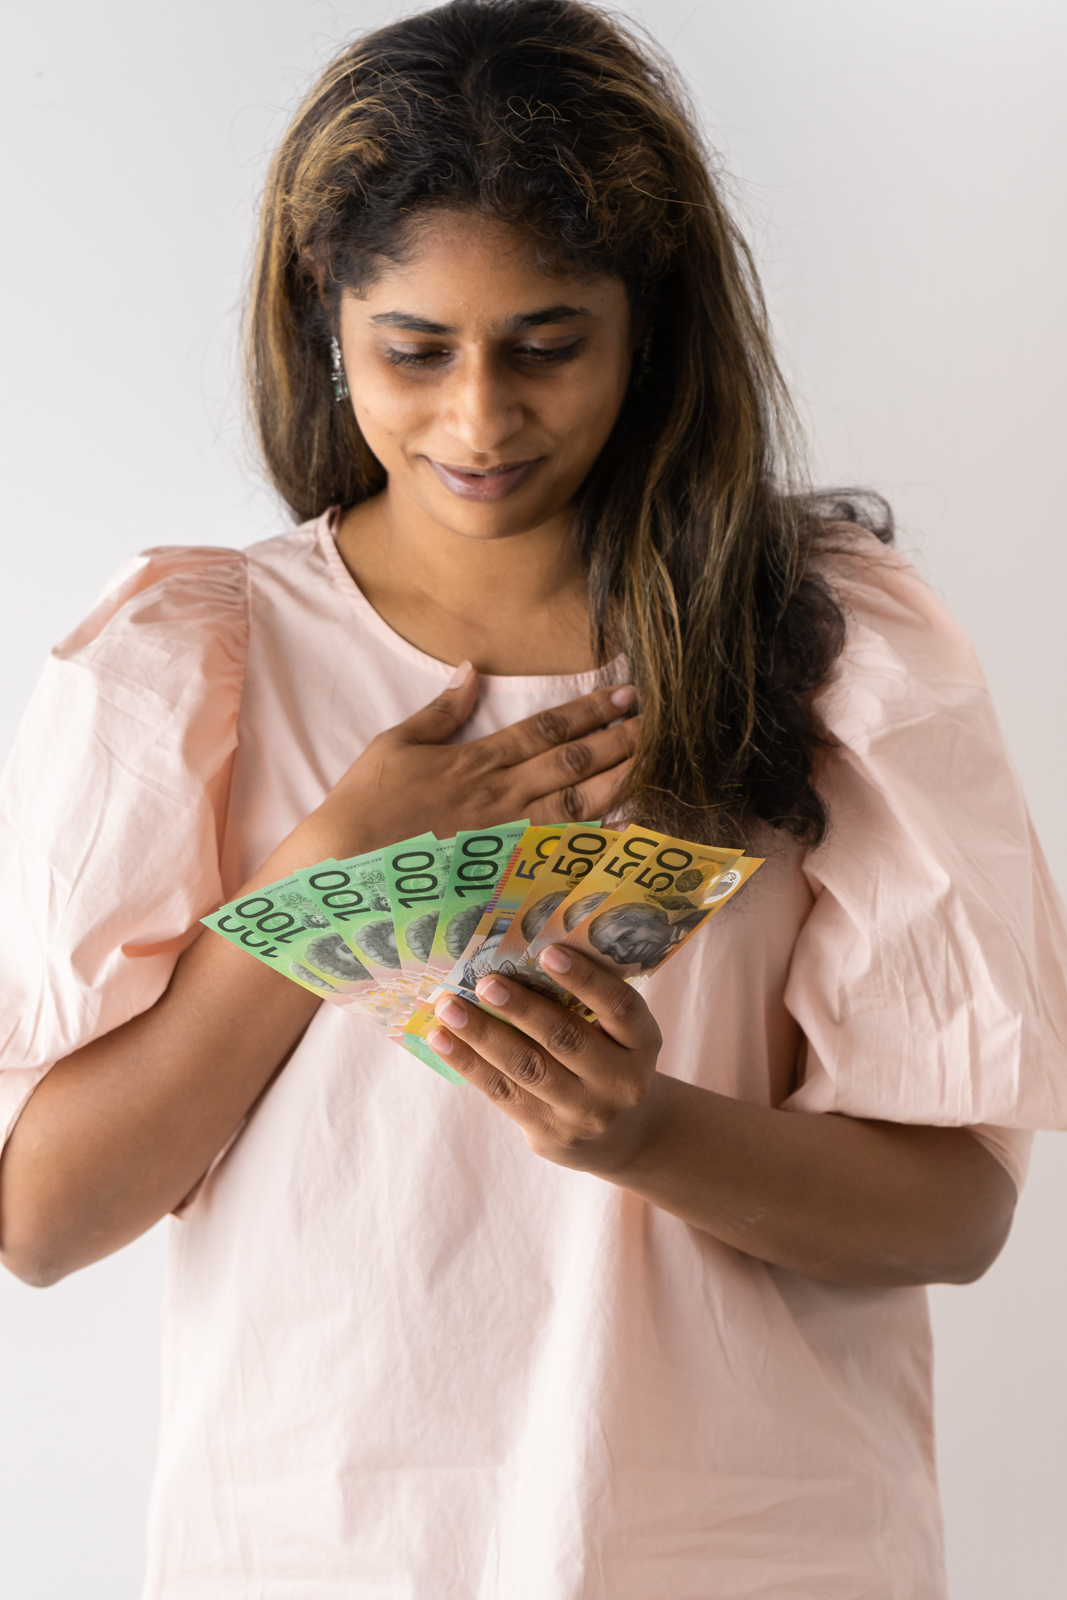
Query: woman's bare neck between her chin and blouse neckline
point(514, 606)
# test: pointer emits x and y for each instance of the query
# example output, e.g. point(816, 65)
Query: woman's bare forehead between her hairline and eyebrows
point(468, 266)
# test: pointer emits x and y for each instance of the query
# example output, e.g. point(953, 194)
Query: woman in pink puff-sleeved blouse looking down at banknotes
point(644, 1314)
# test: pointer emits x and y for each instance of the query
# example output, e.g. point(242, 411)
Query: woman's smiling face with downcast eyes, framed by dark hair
point(486, 386)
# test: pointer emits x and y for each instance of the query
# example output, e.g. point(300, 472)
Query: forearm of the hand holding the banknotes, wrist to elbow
point(868, 1204)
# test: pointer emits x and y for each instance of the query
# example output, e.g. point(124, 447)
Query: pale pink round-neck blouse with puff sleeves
point(409, 1361)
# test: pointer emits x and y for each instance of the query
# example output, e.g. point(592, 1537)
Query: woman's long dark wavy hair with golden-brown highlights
point(553, 116)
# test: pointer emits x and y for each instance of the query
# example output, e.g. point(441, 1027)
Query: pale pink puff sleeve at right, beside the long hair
point(930, 980)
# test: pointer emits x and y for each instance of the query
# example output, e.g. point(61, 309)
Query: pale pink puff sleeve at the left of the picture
point(113, 804)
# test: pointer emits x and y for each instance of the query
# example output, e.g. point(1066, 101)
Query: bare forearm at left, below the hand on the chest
point(119, 1132)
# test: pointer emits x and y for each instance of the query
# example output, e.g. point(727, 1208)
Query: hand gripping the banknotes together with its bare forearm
point(852, 1202)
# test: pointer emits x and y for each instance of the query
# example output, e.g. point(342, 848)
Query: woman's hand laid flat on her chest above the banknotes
point(564, 766)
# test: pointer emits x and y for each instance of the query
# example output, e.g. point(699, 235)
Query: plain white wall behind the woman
point(900, 170)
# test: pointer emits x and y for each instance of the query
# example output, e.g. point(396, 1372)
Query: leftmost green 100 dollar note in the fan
point(286, 929)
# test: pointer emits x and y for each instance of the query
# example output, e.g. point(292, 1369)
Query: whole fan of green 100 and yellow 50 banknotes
point(383, 932)
